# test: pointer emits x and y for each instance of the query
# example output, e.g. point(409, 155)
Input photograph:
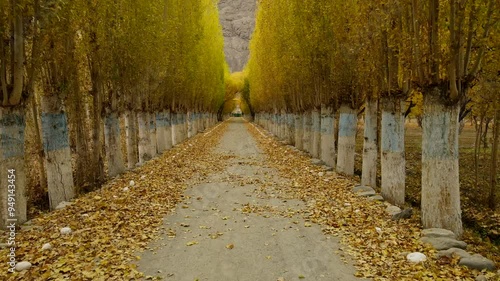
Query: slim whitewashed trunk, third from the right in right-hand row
point(370, 149)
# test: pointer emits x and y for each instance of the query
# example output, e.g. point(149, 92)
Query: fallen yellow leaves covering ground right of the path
point(377, 245)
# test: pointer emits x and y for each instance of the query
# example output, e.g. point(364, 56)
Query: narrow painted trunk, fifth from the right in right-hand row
point(328, 136)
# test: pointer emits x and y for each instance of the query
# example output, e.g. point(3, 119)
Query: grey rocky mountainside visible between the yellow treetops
point(238, 20)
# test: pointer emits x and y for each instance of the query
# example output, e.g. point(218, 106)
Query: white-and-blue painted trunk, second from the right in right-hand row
point(392, 150)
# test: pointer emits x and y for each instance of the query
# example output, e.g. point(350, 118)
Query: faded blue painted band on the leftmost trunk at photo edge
point(12, 135)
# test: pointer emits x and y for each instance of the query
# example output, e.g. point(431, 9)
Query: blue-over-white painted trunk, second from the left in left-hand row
point(57, 151)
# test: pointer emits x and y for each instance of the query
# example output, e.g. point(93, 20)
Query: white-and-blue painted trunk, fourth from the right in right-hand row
point(347, 140)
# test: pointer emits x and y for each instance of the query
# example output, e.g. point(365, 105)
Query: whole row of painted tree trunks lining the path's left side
point(146, 135)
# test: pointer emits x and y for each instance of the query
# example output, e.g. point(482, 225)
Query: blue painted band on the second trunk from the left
point(55, 131)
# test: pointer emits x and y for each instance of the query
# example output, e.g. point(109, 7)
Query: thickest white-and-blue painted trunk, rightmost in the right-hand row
point(440, 172)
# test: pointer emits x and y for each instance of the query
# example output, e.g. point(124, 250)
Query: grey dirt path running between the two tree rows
point(228, 228)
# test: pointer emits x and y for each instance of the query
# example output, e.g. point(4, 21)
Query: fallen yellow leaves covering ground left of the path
point(109, 226)
